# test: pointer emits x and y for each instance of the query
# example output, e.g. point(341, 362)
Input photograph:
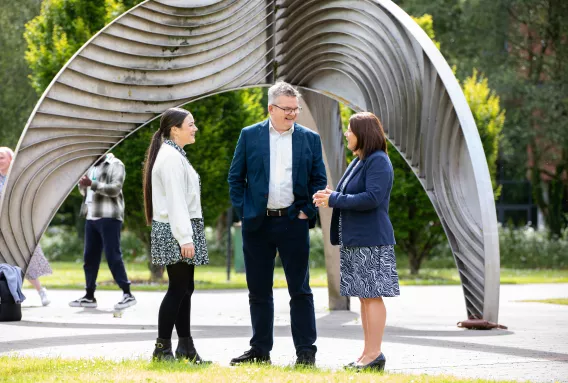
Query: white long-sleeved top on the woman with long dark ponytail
point(175, 193)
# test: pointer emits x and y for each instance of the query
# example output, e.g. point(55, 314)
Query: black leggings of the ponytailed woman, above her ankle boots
point(176, 306)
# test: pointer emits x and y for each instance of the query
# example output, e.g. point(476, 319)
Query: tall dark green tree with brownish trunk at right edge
point(538, 55)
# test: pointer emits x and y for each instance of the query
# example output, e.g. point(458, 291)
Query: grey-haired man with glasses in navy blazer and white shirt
point(276, 169)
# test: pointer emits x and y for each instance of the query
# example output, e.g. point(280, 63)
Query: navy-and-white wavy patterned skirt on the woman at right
point(368, 272)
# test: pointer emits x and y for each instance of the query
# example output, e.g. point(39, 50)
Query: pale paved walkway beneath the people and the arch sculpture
point(421, 335)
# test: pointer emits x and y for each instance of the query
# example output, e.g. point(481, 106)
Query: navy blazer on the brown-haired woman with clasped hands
point(364, 204)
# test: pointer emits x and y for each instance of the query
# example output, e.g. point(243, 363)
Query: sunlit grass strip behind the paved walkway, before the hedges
point(69, 275)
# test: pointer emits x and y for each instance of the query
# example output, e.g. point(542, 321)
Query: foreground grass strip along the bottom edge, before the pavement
point(16, 369)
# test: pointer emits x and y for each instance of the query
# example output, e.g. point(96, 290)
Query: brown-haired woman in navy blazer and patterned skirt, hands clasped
point(360, 224)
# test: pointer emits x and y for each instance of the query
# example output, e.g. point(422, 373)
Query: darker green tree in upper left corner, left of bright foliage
point(17, 98)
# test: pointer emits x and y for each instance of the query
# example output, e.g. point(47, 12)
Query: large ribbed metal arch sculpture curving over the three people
point(368, 54)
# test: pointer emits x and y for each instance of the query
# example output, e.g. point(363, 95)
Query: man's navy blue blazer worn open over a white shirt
point(250, 171)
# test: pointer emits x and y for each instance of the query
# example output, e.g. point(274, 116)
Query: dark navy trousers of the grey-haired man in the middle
point(291, 239)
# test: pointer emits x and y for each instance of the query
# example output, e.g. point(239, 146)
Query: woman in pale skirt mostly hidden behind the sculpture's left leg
point(39, 266)
